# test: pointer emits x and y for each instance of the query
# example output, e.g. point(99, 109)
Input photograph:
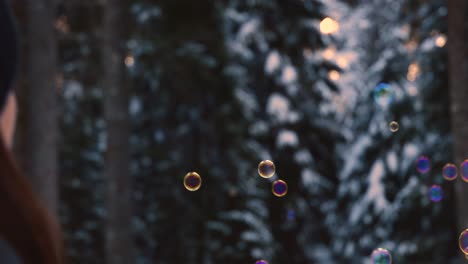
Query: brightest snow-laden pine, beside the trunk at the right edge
point(382, 200)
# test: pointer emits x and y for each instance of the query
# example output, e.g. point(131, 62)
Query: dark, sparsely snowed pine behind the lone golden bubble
point(186, 119)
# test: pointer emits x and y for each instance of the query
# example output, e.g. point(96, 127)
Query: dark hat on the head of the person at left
point(8, 51)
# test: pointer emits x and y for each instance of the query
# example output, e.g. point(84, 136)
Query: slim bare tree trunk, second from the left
point(118, 236)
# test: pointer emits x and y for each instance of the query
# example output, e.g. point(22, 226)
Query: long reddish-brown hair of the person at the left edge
point(25, 224)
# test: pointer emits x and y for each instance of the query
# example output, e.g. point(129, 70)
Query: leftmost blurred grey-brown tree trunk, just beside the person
point(39, 120)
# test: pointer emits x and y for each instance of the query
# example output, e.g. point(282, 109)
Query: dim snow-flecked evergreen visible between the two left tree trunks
point(82, 140)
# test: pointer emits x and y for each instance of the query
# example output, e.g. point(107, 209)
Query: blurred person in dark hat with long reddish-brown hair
point(28, 233)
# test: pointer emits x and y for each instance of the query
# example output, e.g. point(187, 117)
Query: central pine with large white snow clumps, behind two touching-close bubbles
point(284, 85)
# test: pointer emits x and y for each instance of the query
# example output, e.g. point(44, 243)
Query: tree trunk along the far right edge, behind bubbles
point(458, 78)
